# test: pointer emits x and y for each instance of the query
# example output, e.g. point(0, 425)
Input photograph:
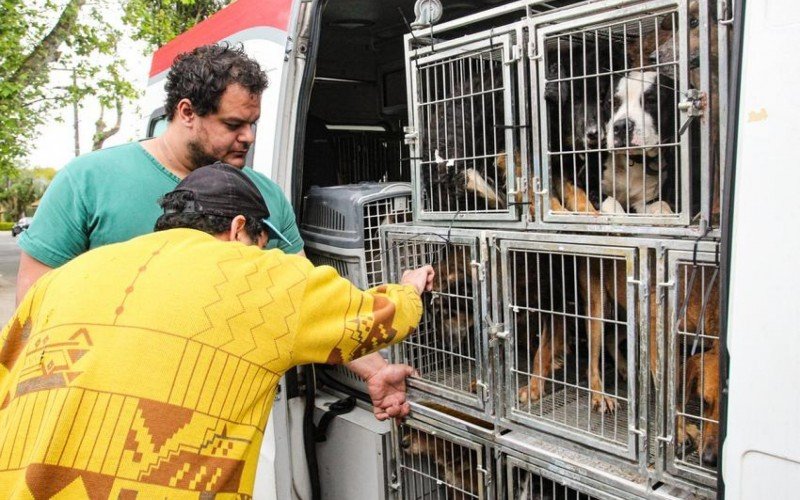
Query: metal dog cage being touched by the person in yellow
point(449, 349)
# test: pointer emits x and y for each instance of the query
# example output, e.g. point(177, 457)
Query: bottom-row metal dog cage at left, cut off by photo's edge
point(435, 463)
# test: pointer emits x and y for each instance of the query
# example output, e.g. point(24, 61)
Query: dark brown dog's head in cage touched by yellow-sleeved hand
point(451, 305)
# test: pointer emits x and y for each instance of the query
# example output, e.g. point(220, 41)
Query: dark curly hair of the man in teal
point(203, 74)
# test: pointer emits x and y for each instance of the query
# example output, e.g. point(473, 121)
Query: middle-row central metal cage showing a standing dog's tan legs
point(571, 325)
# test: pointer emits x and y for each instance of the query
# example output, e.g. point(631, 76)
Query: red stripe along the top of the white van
point(238, 16)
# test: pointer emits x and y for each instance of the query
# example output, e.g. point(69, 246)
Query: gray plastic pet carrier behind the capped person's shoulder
point(340, 226)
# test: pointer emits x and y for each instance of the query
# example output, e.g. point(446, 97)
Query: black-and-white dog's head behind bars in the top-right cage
point(642, 111)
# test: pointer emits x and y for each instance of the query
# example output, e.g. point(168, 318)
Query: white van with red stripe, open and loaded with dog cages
point(601, 187)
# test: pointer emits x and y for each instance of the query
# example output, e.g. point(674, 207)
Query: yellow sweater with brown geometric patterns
point(147, 369)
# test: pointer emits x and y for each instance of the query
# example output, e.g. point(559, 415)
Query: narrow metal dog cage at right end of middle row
point(692, 375)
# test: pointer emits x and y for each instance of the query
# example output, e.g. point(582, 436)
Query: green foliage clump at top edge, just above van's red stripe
point(158, 21)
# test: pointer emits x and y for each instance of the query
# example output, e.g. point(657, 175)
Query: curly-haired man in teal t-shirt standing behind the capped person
point(213, 102)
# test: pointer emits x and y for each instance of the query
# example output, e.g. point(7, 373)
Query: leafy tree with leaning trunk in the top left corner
point(33, 44)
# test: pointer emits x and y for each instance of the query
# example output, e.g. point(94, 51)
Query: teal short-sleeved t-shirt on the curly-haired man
point(112, 195)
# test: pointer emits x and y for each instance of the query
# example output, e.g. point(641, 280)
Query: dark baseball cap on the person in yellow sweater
point(223, 190)
